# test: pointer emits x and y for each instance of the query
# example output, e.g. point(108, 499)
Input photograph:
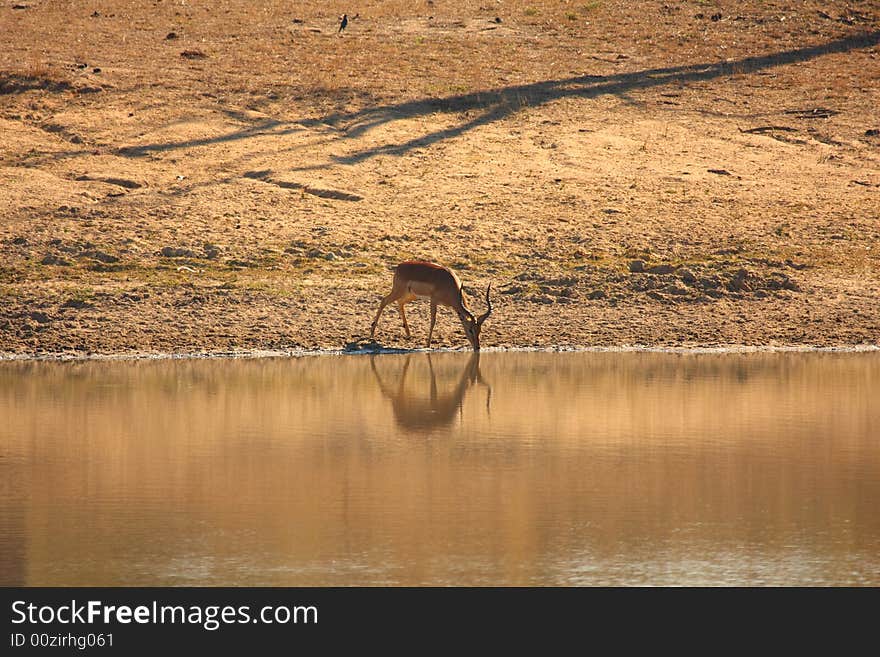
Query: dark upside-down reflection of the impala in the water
point(438, 409)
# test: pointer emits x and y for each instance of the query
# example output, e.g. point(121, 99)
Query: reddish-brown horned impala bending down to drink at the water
point(426, 280)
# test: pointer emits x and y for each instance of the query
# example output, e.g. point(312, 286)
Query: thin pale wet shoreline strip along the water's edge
point(256, 354)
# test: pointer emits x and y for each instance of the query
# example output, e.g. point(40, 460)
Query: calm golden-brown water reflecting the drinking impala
point(514, 469)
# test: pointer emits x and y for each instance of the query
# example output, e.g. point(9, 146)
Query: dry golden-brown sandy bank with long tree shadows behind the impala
point(203, 176)
